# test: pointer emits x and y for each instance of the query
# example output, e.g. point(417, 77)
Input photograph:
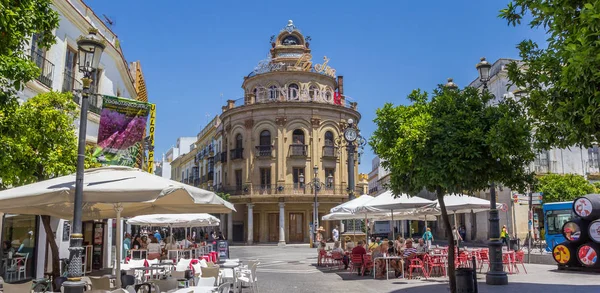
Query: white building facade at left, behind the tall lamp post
point(59, 72)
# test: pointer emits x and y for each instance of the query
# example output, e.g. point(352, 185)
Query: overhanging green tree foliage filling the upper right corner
point(562, 79)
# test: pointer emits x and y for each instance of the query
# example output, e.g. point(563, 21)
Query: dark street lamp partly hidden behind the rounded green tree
point(496, 274)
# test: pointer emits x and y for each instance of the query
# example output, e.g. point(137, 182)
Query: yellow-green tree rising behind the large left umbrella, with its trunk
point(41, 145)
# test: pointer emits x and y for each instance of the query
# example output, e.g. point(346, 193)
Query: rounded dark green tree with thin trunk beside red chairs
point(455, 142)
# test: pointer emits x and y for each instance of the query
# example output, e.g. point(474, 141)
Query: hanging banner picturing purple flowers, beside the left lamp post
point(122, 131)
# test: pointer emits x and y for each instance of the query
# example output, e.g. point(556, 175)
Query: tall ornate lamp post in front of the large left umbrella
point(90, 49)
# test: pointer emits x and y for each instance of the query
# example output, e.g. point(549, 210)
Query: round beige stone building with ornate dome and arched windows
point(290, 122)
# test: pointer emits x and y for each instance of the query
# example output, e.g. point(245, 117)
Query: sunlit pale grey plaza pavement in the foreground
point(292, 269)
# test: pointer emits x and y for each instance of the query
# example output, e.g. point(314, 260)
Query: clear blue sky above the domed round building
point(194, 51)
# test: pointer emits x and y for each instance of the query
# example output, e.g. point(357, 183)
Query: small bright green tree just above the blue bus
point(557, 187)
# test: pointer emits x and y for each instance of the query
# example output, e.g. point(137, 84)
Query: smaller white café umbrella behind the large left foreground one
point(175, 220)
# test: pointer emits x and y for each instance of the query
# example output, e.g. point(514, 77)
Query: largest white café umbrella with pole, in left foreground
point(111, 192)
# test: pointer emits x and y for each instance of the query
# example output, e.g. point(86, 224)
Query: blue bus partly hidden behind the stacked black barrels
point(556, 214)
